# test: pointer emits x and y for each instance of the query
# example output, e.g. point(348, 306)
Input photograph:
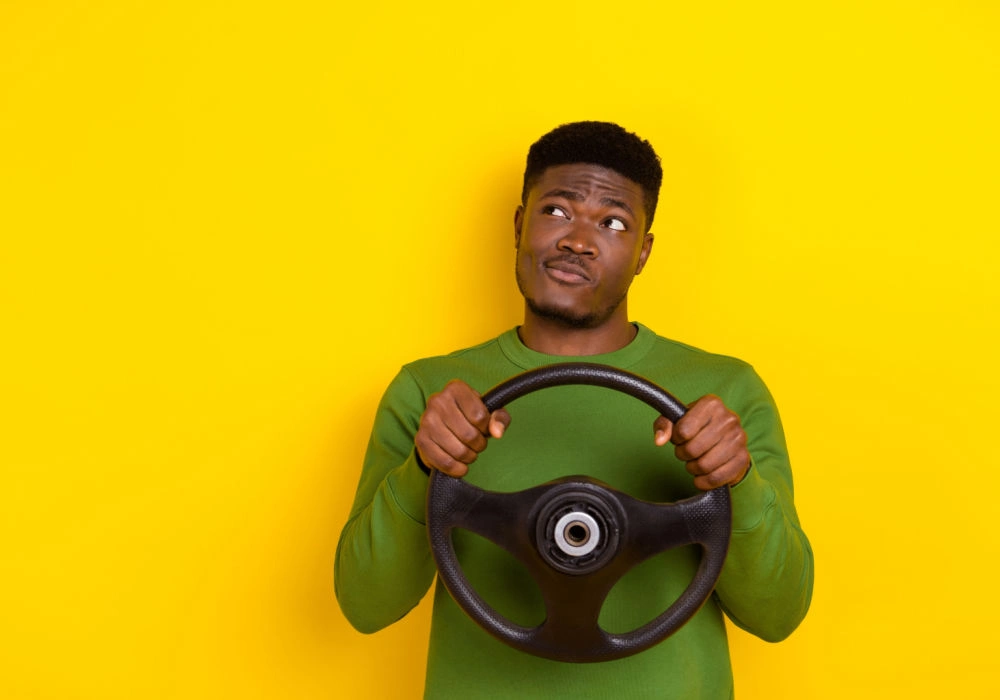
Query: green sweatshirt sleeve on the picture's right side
point(766, 584)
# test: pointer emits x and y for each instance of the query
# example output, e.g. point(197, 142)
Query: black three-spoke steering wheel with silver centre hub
point(577, 536)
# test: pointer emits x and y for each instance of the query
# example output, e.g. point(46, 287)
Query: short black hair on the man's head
point(598, 143)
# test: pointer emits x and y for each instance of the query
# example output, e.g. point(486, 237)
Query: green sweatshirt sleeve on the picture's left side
point(383, 565)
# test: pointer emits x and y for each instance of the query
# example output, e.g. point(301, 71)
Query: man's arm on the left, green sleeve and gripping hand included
point(384, 566)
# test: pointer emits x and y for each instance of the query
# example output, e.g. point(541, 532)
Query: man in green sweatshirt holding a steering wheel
point(582, 233)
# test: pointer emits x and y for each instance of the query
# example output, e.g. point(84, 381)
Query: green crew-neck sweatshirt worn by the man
point(384, 566)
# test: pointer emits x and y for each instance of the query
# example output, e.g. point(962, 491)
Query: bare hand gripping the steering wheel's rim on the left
point(454, 428)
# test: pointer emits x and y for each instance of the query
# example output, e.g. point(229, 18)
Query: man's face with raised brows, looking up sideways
point(581, 238)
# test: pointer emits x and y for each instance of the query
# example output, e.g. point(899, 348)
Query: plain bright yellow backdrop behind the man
point(225, 225)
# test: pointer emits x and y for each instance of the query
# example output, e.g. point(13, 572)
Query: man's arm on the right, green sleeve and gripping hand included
point(766, 585)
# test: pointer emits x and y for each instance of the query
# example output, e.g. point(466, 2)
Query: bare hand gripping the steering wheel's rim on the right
point(710, 440)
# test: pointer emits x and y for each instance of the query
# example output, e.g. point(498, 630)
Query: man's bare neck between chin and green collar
point(557, 338)
